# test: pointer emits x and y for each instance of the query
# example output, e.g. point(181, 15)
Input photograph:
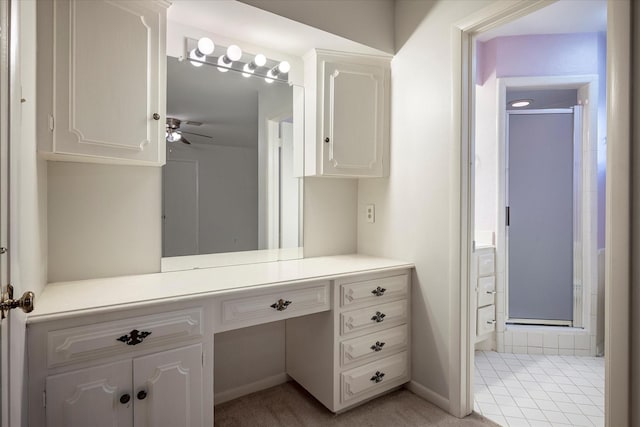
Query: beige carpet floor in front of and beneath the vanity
point(290, 405)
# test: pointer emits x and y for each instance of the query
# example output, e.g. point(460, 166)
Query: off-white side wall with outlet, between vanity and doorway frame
point(417, 208)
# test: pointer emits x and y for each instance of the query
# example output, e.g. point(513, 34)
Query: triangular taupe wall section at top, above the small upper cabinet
point(369, 22)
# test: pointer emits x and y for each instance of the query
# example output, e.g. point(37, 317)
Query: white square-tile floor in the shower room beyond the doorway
point(539, 390)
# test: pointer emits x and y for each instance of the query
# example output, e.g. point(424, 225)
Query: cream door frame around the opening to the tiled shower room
point(617, 259)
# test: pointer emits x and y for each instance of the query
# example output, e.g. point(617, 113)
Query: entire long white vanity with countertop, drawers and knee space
point(138, 350)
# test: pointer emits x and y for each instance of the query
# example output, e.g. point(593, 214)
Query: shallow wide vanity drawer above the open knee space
point(274, 305)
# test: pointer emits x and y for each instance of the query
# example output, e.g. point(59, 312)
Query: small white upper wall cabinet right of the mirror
point(347, 115)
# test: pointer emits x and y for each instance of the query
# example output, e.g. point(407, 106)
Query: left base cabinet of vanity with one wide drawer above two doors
point(137, 371)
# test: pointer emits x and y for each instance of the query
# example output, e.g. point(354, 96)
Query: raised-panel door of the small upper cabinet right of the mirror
point(353, 119)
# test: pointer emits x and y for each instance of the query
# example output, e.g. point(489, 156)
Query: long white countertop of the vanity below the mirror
point(68, 299)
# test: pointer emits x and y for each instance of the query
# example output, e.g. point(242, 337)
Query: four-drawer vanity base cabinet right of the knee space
point(358, 350)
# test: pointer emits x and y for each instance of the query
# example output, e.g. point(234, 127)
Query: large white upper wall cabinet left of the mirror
point(105, 63)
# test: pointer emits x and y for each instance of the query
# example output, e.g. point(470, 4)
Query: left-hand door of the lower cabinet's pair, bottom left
point(97, 397)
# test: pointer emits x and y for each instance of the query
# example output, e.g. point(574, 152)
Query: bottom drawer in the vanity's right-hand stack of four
point(373, 378)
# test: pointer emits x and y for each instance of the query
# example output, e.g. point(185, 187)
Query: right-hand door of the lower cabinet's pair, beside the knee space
point(168, 388)
